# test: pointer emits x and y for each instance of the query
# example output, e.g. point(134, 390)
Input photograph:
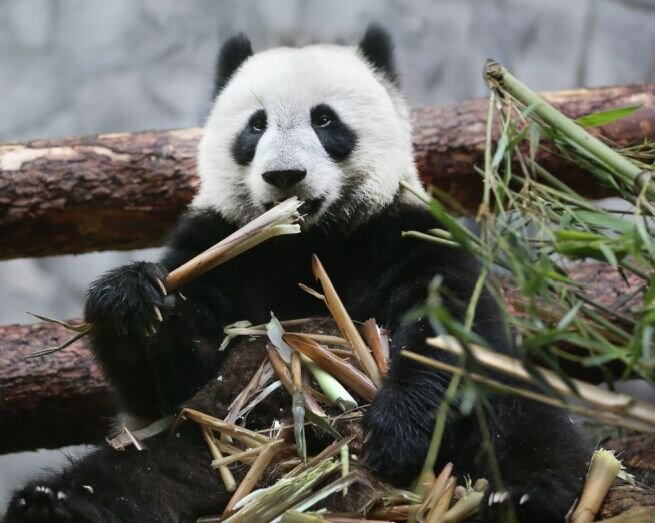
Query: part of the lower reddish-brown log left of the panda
point(49, 402)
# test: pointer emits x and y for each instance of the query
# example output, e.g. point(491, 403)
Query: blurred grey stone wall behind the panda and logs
point(72, 67)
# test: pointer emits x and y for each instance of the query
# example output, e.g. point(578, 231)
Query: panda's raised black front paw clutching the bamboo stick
point(128, 300)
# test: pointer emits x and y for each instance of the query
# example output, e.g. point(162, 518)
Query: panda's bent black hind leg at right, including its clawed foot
point(539, 461)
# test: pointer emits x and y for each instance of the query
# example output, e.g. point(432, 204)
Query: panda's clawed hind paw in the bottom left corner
point(41, 504)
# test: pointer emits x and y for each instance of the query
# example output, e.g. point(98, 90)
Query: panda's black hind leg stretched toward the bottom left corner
point(170, 481)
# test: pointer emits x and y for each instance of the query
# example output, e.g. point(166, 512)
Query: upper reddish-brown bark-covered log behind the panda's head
point(124, 191)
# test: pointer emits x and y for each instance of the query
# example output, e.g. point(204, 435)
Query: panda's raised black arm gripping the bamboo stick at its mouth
point(158, 350)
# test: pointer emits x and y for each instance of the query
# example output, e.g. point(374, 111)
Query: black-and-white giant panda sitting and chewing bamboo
point(329, 125)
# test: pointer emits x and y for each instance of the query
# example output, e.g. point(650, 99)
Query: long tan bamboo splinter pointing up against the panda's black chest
point(345, 323)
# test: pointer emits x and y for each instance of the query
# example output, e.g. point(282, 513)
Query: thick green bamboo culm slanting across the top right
point(499, 79)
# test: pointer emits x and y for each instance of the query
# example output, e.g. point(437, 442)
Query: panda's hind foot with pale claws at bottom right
point(533, 502)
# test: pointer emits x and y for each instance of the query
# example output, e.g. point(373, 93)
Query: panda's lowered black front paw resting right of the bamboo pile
point(397, 435)
